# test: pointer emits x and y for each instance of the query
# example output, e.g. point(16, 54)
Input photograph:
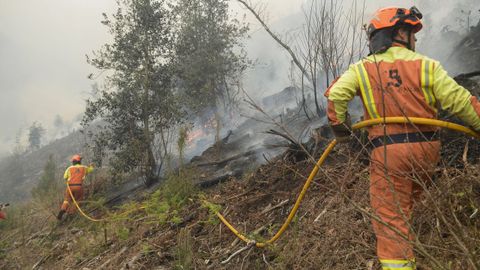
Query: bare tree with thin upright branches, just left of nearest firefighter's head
point(329, 42)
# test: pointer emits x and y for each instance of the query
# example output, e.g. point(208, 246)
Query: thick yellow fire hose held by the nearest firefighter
point(367, 123)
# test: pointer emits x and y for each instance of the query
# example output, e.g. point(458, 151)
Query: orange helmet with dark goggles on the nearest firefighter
point(394, 16)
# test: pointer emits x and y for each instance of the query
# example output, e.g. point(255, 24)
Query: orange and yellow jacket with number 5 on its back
point(408, 83)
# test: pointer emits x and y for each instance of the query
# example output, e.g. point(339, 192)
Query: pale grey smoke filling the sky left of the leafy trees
point(43, 71)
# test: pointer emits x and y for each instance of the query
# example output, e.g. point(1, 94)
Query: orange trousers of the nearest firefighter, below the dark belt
point(394, 186)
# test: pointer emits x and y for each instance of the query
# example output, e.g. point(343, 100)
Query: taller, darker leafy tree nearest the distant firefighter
point(138, 105)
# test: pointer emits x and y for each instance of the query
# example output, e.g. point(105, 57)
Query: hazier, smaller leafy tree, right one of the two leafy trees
point(209, 58)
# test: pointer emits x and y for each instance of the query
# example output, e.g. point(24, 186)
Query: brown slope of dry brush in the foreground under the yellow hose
point(330, 231)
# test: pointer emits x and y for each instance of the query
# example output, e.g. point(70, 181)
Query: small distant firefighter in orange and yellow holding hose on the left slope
point(75, 174)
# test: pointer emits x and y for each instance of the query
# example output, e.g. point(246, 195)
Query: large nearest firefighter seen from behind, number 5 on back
point(394, 80)
